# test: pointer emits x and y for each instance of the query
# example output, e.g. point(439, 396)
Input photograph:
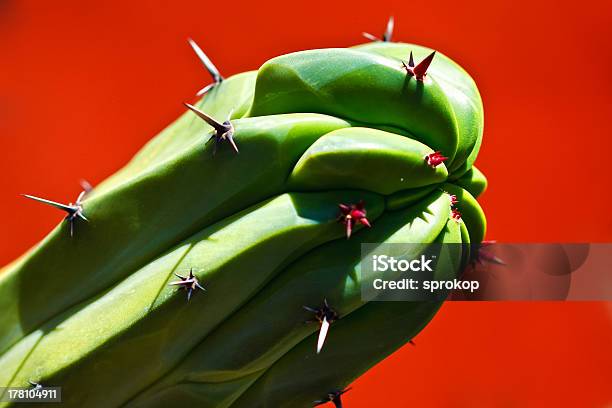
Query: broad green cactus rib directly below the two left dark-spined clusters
point(137, 220)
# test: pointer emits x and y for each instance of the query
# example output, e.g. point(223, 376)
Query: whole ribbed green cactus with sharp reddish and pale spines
point(228, 275)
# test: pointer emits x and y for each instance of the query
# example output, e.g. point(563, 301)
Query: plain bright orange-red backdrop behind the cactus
point(84, 84)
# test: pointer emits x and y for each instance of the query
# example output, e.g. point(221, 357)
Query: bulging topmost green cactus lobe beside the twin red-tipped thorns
point(358, 86)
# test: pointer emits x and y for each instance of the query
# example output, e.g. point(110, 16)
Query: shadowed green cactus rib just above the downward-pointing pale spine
point(278, 308)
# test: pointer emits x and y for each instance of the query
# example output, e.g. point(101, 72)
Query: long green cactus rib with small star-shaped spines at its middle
point(150, 313)
